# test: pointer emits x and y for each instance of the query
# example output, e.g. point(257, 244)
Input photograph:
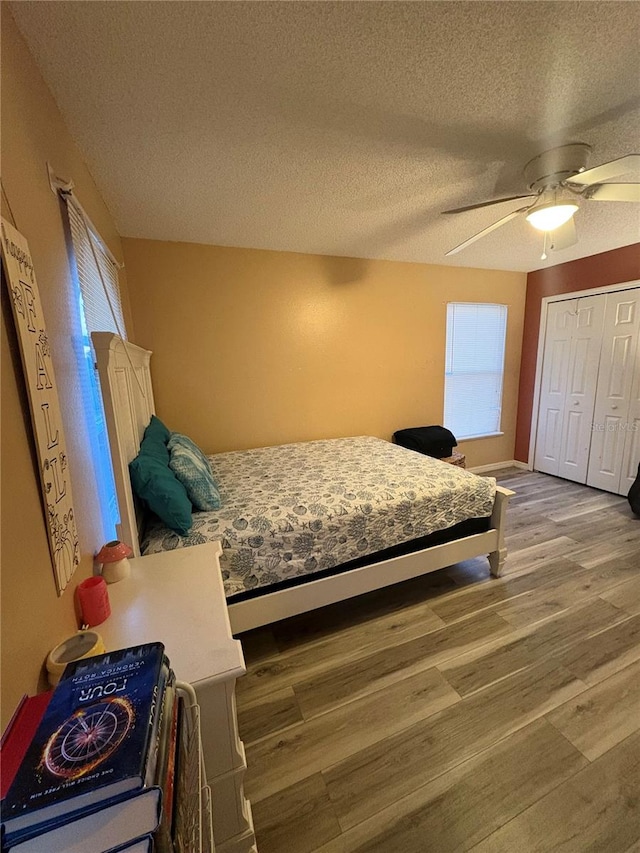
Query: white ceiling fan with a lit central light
point(558, 180)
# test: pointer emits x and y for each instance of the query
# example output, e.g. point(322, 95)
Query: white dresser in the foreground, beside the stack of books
point(177, 597)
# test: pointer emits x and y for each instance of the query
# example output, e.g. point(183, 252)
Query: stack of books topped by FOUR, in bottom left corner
point(94, 762)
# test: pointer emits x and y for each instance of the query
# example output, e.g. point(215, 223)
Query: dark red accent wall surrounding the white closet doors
point(614, 267)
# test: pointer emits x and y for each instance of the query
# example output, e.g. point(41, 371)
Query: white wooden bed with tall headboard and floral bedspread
point(306, 524)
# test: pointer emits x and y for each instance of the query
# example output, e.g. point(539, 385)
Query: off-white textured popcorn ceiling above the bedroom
point(342, 127)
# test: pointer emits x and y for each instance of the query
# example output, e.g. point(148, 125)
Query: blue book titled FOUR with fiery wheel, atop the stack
point(94, 740)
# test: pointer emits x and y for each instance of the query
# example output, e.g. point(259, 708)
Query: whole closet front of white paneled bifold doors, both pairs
point(588, 423)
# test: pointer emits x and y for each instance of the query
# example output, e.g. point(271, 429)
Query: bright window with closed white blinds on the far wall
point(474, 368)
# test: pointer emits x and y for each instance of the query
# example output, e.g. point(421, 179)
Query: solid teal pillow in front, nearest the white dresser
point(156, 484)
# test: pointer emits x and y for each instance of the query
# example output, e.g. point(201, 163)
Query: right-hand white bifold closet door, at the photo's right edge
point(615, 444)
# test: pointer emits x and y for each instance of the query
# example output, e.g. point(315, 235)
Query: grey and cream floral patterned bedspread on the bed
point(299, 508)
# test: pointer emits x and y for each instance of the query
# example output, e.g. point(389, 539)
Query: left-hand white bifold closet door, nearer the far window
point(568, 390)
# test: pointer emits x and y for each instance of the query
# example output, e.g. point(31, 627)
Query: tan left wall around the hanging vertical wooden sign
point(34, 619)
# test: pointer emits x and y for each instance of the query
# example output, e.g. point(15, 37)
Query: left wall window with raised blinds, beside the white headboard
point(100, 310)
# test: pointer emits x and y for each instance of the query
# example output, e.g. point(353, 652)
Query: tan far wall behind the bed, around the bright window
point(256, 348)
